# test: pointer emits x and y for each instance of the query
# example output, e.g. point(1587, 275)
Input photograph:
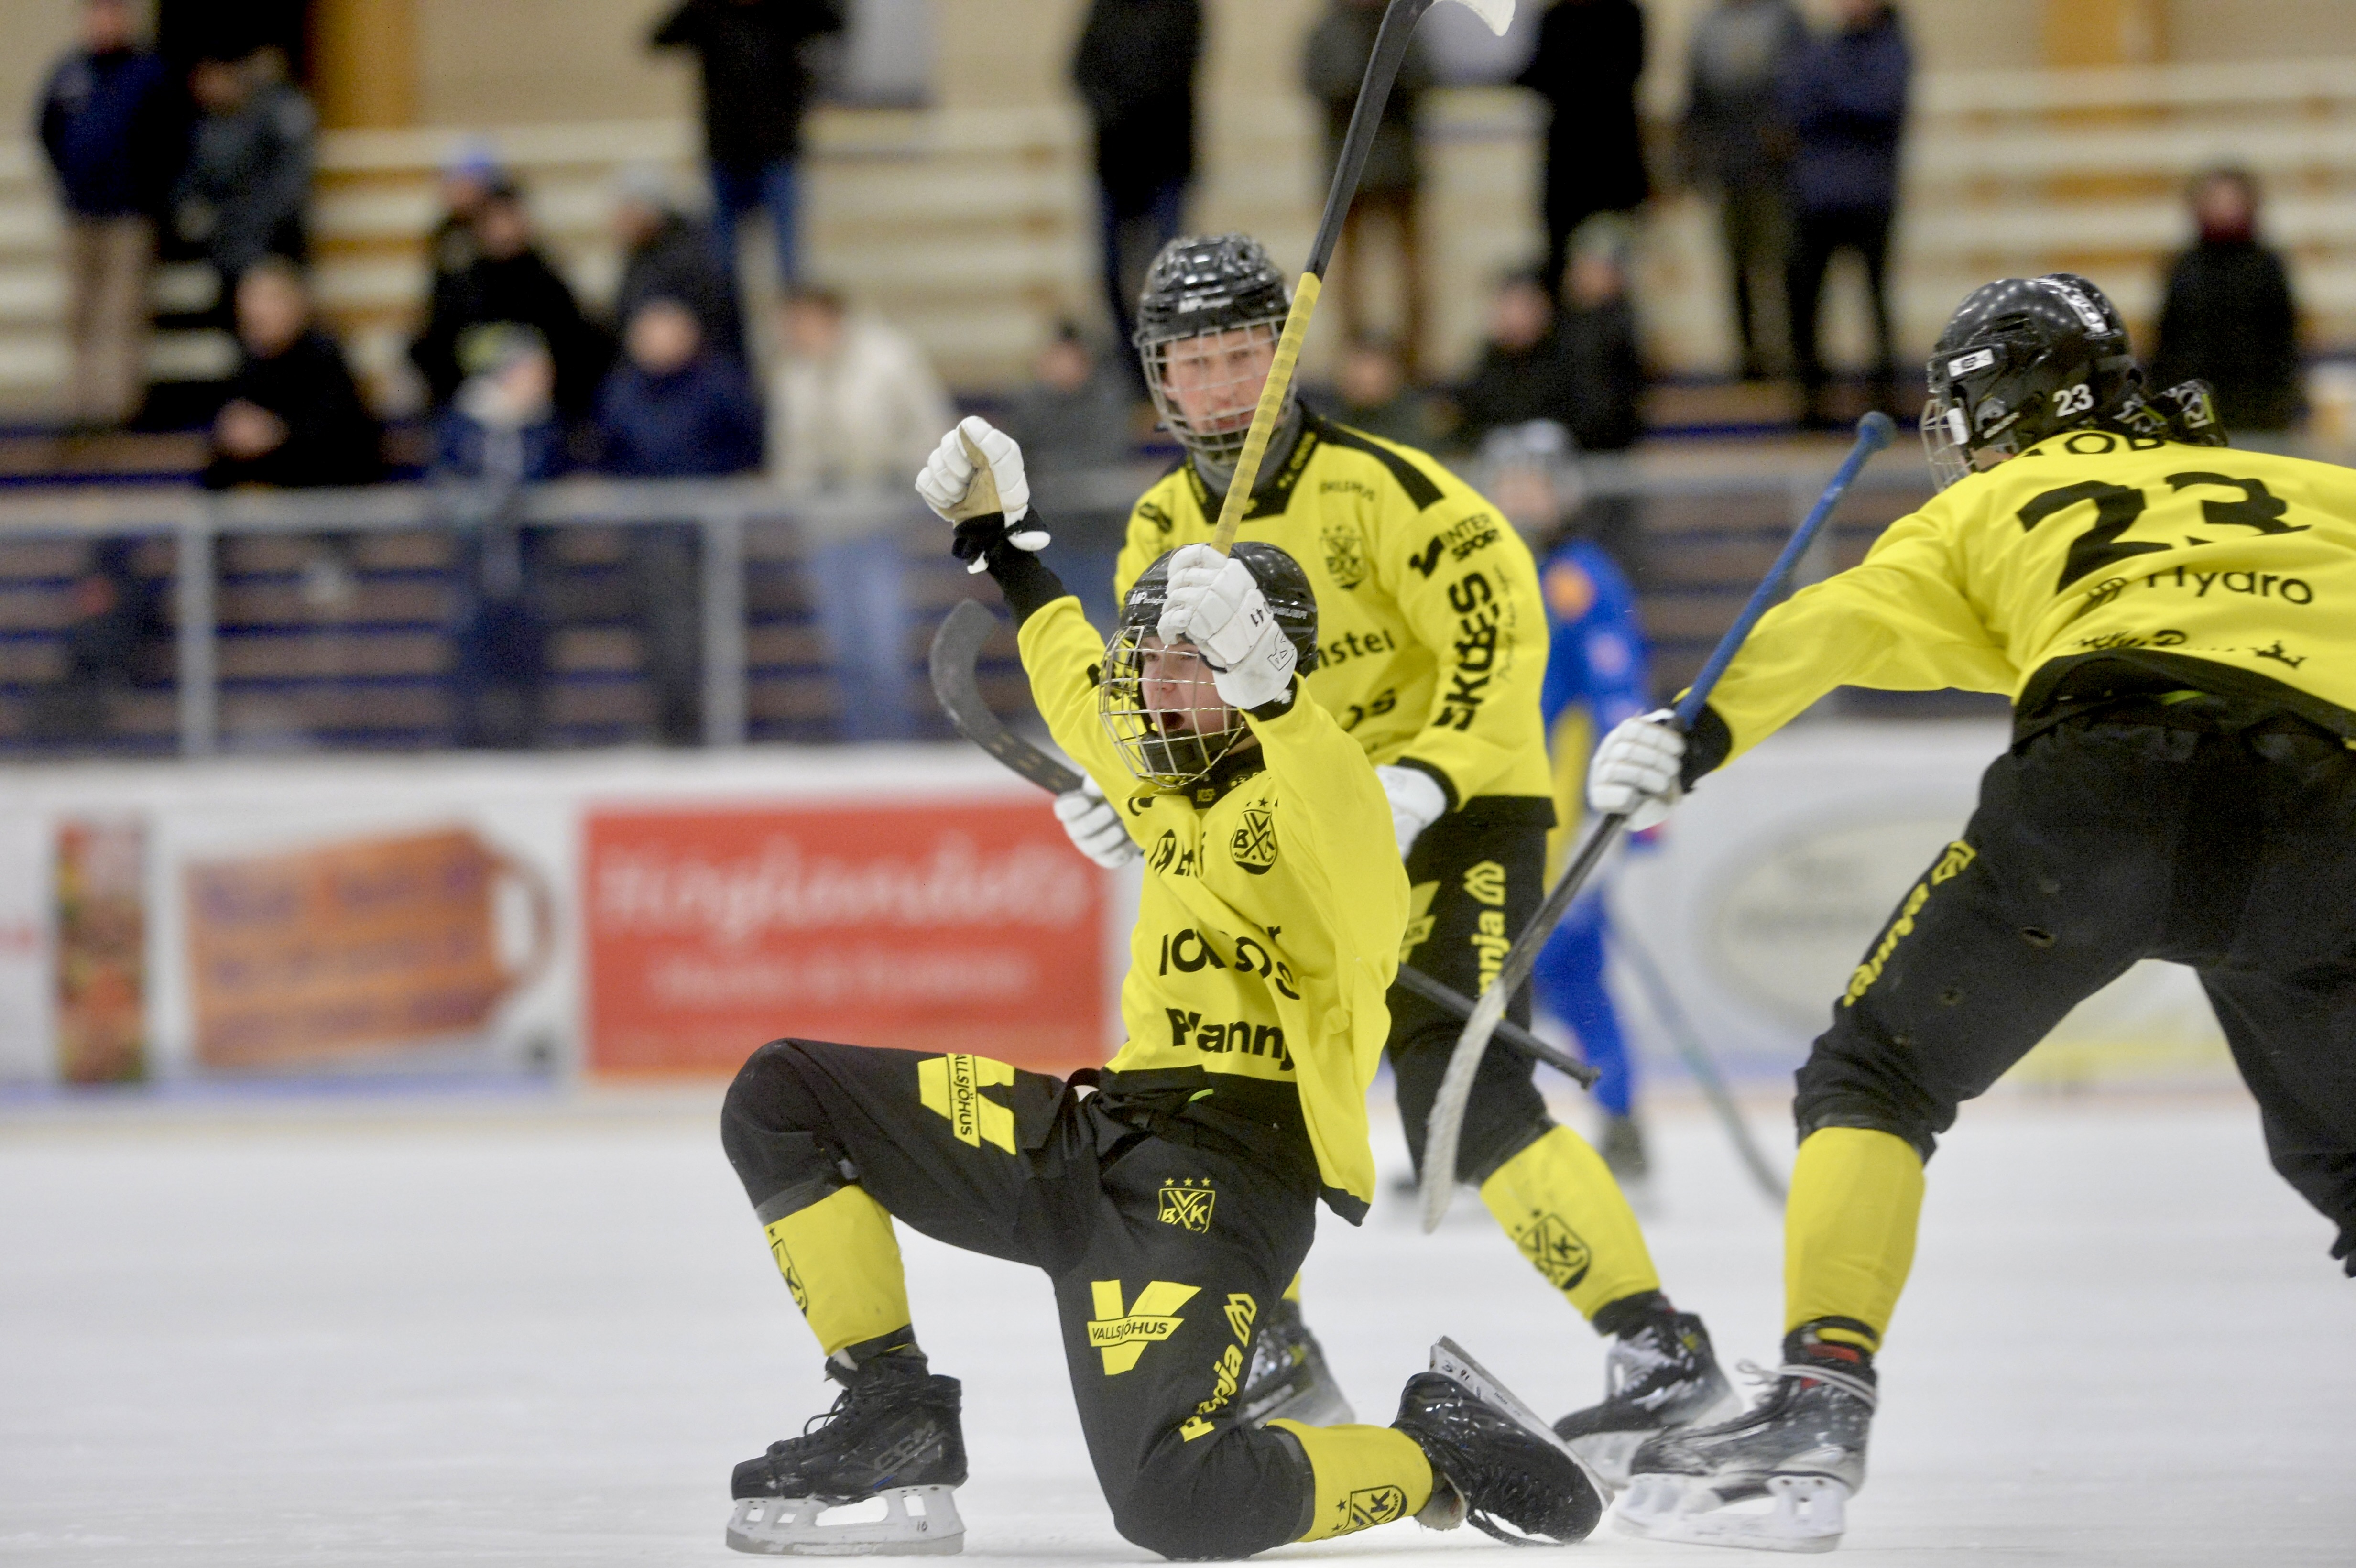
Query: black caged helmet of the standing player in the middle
point(1210, 286)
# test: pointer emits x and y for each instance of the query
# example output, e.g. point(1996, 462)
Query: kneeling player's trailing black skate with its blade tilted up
point(1493, 1461)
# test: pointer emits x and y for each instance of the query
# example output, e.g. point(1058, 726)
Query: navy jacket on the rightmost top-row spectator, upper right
point(1846, 105)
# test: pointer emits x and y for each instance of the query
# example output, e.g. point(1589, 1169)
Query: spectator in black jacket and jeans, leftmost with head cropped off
point(757, 88)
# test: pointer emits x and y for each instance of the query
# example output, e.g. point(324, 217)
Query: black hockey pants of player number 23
point(2096, 844)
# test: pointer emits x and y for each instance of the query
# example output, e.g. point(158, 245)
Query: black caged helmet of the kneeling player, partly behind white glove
point(1172, 745)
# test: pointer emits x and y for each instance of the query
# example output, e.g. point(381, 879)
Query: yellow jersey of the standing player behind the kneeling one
point(1429, 618)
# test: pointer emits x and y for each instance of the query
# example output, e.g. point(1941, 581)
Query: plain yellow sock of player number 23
point(1848, 1233)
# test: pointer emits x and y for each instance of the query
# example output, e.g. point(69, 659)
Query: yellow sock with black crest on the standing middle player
point(1563, 1209)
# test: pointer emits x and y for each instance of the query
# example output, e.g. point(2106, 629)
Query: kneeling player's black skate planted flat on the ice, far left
point(894, 1435)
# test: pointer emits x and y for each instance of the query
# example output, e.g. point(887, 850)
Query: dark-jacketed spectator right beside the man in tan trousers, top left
point(249, 171)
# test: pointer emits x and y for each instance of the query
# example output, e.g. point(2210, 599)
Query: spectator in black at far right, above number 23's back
point(2228, 314)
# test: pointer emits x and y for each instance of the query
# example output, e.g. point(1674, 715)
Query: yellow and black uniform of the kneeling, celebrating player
point(1177, 1200)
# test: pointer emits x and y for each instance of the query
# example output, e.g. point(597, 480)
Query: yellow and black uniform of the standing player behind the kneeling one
point(1434, 656)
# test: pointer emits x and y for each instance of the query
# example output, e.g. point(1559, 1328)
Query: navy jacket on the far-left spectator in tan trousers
point(114, 133)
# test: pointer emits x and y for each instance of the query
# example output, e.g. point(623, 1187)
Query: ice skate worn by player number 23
point(1775, 1480)
